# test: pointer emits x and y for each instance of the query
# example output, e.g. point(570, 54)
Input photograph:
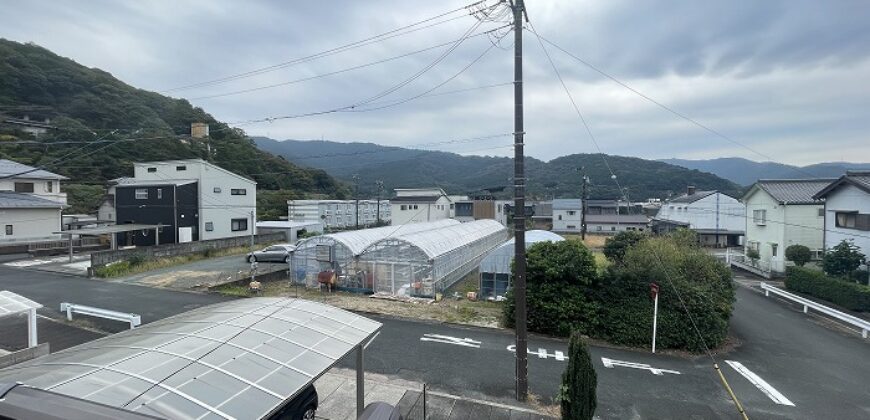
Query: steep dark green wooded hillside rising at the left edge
point(88, 105)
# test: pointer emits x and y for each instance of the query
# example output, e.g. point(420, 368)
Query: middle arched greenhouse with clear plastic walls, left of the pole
point(428, 262)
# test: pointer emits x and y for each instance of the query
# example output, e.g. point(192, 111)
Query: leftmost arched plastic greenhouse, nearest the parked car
point(338, 252)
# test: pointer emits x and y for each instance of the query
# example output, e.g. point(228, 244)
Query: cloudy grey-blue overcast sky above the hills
point(789, 79)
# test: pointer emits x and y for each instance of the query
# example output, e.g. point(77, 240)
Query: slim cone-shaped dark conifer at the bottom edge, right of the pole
point(579, 382)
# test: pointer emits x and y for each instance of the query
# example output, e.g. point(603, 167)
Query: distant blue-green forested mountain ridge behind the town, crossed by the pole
point(400, 167)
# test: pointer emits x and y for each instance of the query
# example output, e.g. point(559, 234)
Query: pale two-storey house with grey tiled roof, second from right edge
point(780, 213)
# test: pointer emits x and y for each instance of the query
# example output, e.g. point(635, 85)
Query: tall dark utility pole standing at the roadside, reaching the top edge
point(519, 209)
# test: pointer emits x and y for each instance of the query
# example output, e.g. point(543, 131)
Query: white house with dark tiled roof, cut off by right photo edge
point(847, 210)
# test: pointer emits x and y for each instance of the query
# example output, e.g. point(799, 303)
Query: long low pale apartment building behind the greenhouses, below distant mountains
point(339, 214)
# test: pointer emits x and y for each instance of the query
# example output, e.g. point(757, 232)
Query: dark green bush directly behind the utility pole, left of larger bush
point(559, 280)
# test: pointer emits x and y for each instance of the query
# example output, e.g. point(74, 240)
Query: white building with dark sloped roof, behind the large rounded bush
point(719, 219)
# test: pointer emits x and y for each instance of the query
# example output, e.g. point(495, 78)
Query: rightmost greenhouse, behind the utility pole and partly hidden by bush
point(495, 269)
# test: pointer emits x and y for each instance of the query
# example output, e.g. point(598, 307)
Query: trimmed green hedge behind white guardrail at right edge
point(844, 293)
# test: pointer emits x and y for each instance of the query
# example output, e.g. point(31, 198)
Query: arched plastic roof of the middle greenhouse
point(440, 241)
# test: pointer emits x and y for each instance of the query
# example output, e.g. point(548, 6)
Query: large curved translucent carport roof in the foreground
point(239, 359)
